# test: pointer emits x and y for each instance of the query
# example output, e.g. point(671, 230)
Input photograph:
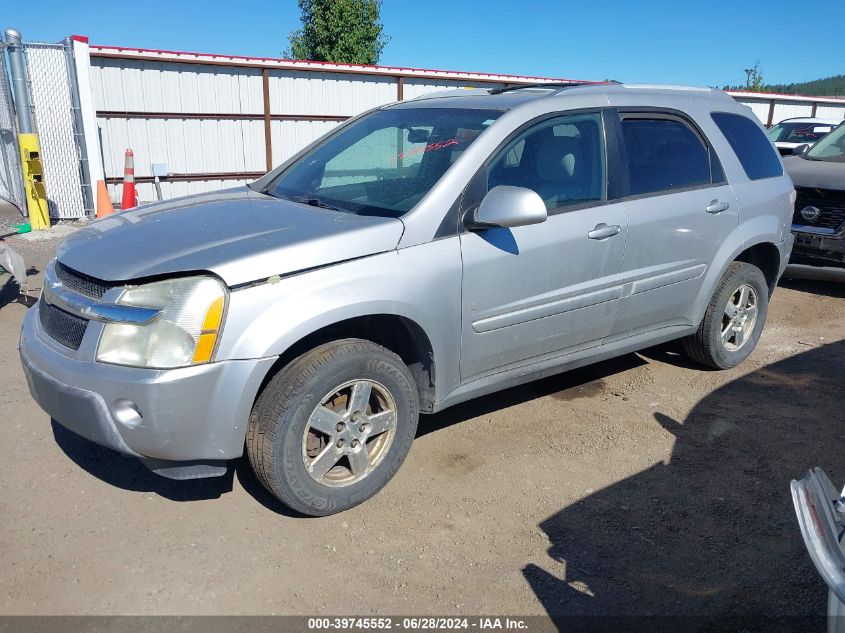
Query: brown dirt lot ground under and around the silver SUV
point(642, 485)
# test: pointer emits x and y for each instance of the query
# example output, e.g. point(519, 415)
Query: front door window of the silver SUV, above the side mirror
point(562, 159)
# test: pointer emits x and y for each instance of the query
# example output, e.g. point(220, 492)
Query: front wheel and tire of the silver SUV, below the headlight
point(290, 441)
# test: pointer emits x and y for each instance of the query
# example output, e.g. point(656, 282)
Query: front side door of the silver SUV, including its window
point(535, 291)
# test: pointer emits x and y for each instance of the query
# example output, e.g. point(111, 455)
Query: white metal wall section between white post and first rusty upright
point(187, 144)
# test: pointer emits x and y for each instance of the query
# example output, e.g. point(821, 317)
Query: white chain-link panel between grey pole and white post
point(52, 102)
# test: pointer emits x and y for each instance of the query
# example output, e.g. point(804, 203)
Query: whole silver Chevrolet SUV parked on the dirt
point(421, 254)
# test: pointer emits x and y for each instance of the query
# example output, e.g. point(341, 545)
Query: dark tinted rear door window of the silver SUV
point(664, 154)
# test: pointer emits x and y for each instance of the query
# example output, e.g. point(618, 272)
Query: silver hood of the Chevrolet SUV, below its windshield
point(238, 234)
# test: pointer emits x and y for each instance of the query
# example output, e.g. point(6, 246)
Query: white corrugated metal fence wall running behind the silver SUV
point(171, 82)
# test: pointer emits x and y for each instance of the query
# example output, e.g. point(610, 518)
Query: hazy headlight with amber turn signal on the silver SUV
point(184, 333)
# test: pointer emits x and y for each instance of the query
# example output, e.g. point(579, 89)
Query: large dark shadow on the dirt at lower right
point(712, 532)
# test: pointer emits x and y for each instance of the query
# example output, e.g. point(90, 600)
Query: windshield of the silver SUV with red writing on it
point(384, 163)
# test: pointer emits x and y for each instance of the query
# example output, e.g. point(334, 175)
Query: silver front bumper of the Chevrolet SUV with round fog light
point(194, 413)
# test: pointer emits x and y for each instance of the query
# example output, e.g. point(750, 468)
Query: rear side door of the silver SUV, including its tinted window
point(680, 211)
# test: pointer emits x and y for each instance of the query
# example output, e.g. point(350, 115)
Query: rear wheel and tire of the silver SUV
point(706, 346)
